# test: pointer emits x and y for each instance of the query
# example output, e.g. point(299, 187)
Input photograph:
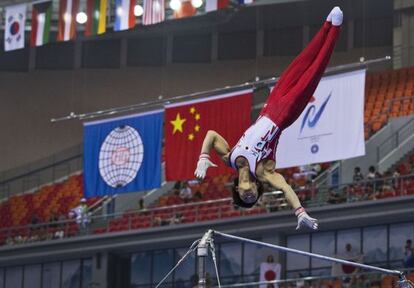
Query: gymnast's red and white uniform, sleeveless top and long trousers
point(287, 100)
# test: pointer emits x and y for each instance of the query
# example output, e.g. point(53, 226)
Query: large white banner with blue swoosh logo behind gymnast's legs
point(331, 127)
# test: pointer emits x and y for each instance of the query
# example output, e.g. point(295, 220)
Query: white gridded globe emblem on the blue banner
point(121, 156)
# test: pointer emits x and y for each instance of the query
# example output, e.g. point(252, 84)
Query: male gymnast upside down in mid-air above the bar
point(254, 155)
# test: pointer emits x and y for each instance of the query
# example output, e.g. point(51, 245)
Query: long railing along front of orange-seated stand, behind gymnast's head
point(208, 210)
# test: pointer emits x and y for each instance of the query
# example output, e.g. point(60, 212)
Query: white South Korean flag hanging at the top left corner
point(14, 27)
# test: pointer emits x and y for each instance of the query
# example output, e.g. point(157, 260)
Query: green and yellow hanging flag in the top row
point(96, 11)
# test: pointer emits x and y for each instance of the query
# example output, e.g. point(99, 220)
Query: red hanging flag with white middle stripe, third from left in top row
point(67, 20)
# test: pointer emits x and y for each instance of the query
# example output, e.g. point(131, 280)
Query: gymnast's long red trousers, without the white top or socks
point(298, 82)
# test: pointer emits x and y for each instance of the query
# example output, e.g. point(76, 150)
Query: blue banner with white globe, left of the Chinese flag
point(123, 154)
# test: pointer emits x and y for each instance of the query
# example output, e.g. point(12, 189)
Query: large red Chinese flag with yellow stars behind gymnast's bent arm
point(187, 123)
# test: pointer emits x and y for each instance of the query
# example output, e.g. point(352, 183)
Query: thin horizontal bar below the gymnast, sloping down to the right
point(313, 255)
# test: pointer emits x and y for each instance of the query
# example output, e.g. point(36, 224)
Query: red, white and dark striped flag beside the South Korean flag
point(41, 15)
